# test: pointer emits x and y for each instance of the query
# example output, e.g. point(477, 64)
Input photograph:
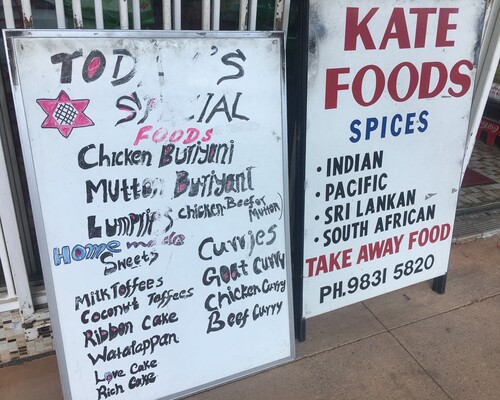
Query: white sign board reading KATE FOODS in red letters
point(389, 93)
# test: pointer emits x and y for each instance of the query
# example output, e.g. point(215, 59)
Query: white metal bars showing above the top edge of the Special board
point(149, 14)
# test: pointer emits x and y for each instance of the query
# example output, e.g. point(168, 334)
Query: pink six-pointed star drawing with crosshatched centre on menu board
point(65, 114)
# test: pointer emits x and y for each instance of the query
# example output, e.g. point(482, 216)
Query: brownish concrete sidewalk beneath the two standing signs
point(408, 344)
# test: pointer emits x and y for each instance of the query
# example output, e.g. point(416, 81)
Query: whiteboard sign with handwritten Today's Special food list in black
point(157, 171)
